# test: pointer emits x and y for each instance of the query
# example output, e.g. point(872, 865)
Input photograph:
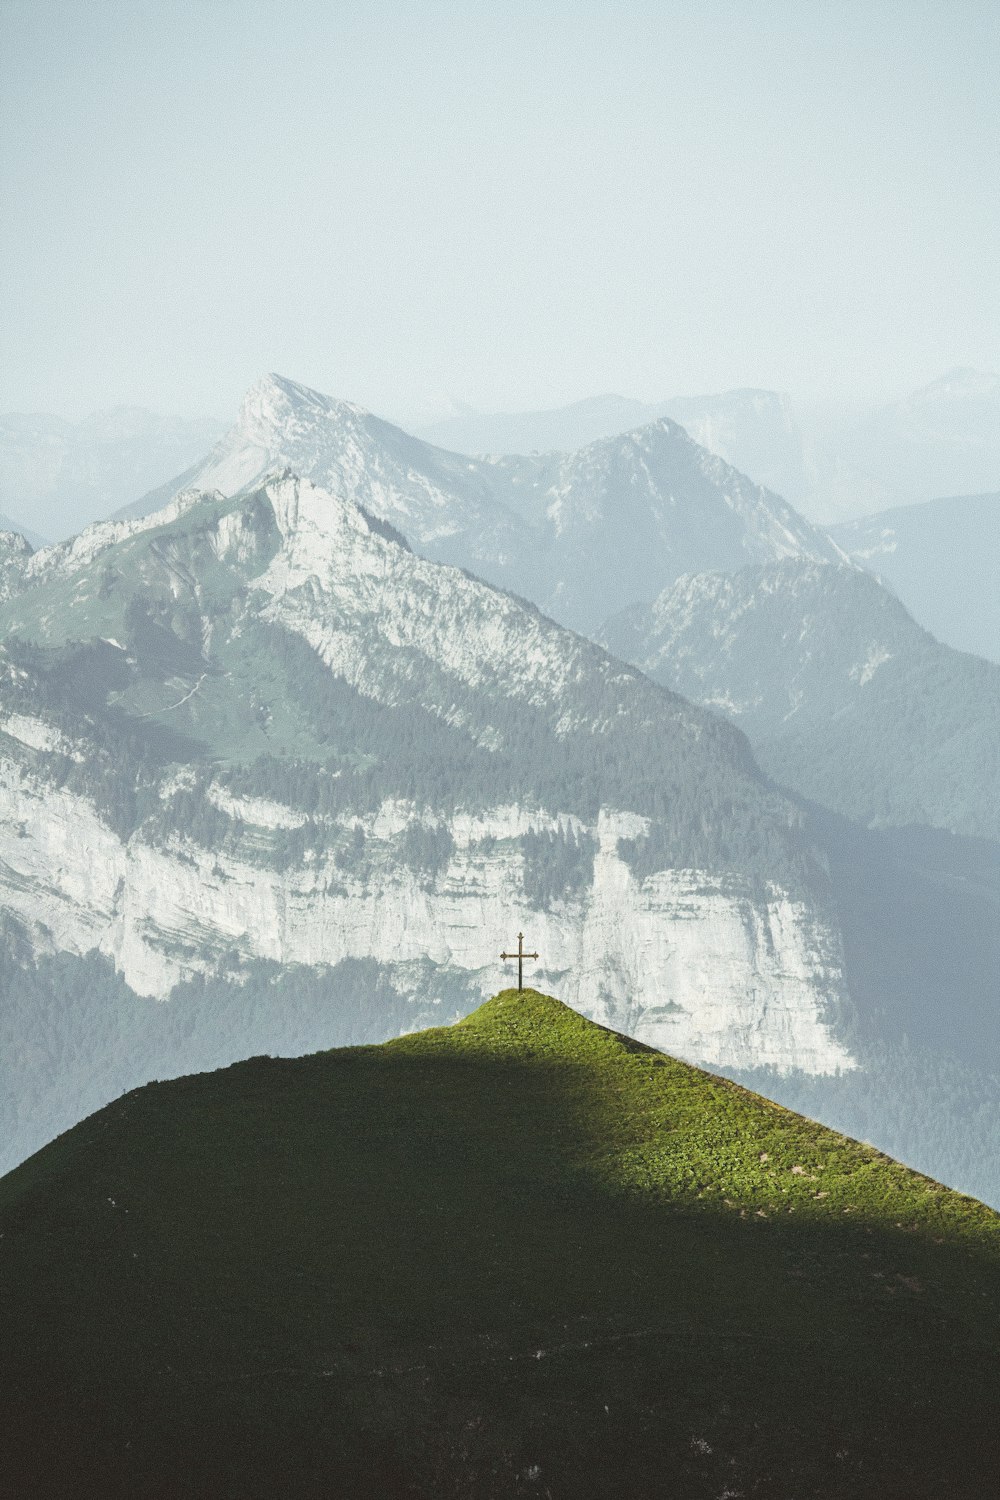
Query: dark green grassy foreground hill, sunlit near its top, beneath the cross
point(518, 1256)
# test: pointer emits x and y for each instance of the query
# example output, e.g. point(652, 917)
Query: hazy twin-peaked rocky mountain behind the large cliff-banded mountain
point(581, 535)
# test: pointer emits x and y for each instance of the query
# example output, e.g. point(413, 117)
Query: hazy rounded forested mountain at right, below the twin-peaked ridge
point(845, 698)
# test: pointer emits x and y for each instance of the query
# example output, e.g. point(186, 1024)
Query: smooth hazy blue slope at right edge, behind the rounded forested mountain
point(944, 560)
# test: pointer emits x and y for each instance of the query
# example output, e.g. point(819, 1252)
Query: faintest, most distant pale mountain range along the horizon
point(58, 476)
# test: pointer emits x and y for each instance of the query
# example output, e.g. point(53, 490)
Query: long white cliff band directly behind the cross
point(681, 962)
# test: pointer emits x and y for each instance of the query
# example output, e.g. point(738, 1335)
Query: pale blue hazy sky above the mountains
point(518, 208)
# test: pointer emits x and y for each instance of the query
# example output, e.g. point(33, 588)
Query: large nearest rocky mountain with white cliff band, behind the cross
point(260, 731)
